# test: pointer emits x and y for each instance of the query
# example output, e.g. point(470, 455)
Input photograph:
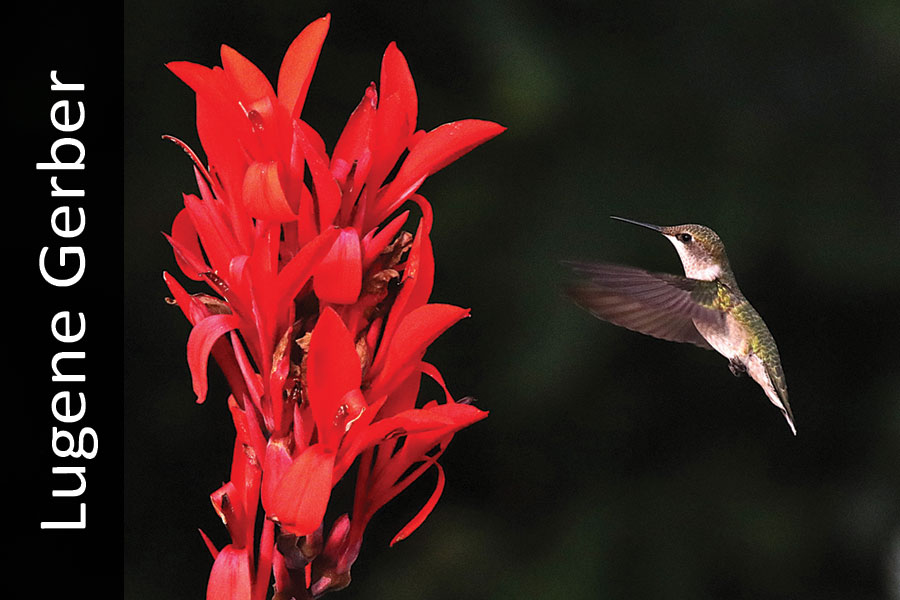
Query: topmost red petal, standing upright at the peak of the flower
point(298, 65)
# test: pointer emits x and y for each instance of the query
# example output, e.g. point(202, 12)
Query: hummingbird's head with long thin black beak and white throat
point(700, 249)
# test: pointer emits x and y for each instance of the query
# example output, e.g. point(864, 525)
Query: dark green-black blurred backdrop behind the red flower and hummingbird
point(612, 465)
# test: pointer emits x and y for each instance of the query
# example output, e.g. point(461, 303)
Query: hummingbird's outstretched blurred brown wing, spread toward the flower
point(658, 304)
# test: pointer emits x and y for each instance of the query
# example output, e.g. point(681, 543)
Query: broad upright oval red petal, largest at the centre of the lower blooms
point(332, 372)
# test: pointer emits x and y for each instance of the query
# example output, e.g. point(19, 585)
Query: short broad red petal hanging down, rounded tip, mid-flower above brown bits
point(338, 279)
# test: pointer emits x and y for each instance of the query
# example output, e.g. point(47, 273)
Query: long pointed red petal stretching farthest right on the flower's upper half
point(437, 149)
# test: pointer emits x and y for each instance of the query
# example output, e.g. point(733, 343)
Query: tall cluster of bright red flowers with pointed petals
point(321, 317)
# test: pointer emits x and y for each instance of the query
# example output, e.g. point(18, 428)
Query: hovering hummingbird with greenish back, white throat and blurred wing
point(705, 307)
